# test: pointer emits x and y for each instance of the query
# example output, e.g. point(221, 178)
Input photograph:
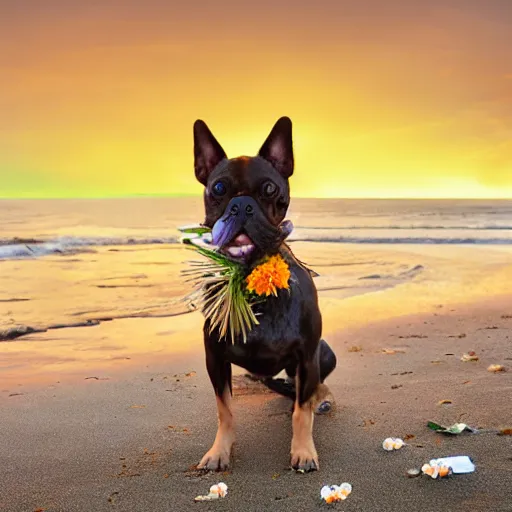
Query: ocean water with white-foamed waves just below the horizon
point(35, 228)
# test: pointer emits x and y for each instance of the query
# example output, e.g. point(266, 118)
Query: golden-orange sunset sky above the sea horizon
point(395, 98)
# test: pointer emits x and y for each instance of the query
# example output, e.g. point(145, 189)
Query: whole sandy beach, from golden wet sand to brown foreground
point(115, 415)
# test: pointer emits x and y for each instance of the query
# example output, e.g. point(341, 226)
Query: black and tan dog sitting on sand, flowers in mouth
point(253, 193)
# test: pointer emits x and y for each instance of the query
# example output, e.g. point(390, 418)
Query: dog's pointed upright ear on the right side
point(278, 148)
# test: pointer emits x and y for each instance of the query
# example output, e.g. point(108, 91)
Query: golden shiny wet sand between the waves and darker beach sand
point(356, 285)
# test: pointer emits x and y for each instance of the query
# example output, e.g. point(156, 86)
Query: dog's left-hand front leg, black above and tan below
point(219, 370)
